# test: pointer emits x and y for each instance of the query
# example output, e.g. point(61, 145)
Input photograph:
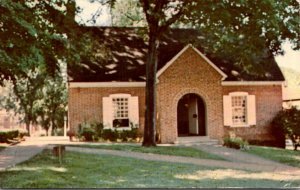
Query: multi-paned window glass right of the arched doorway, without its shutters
point(239, 110)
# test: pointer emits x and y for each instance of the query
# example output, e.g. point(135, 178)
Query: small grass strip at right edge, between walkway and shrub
point(289, 157)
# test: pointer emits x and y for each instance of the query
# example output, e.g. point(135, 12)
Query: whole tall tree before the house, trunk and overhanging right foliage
point(245, 27)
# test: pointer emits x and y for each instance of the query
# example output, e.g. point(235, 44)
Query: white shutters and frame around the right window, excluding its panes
point(250, 109)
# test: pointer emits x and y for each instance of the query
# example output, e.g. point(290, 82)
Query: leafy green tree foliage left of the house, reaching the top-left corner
point(34, 37)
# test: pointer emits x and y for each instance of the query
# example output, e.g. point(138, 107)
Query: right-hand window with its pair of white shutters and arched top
point(239, 109)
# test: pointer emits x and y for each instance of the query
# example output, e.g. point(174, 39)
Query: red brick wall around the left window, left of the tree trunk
point(85, 104)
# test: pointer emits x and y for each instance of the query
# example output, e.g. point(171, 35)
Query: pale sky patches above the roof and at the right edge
point(290, 59)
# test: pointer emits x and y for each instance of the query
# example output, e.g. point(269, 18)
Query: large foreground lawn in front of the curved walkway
point(91, 171)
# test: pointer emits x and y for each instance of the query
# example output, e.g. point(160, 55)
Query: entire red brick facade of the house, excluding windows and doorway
point(188, 74)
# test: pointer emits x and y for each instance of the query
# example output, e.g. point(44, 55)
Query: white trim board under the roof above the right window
point(251, 83)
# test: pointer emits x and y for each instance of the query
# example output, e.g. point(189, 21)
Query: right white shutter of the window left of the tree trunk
point(133, 110)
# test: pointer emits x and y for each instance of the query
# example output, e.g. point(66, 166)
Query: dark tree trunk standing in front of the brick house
point(150, 120)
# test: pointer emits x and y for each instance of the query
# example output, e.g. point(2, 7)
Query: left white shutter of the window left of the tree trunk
point(107, 110)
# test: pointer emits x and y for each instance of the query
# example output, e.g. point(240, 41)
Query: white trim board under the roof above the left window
point(105, 84)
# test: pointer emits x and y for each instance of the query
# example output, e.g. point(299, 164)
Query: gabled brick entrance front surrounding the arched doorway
point(189, 74)
